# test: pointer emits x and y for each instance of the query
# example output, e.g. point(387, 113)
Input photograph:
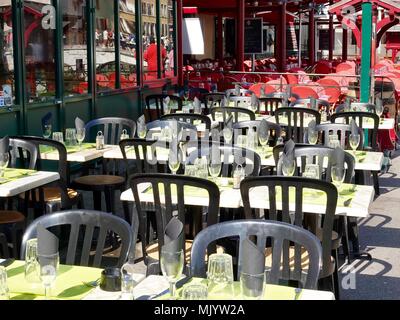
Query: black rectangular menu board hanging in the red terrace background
point(253, 36)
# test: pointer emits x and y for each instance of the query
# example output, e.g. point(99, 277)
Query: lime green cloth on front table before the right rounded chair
point(272, 292)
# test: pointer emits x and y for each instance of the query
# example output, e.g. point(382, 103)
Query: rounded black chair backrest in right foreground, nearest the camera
point(278, 233)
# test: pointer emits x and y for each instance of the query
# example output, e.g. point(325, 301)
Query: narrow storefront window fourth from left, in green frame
point(105, 45)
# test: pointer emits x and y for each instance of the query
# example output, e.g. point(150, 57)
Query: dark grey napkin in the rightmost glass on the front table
point(253, 259)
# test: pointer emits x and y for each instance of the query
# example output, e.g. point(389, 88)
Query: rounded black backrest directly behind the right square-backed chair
point(320, 155)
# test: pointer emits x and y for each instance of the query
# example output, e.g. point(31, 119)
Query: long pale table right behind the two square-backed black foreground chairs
point(353, 201)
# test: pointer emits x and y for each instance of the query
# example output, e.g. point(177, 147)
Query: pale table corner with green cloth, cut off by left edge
point(18, 181)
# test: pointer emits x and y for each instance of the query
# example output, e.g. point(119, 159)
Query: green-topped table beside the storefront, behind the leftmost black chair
point(87, 153)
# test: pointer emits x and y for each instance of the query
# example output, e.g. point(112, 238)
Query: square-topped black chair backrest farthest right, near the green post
point(359, 118)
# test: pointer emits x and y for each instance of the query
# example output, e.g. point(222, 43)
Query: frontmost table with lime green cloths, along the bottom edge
point(72, 284)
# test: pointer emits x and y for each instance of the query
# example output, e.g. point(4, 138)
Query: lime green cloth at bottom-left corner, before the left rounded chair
point(69, 284)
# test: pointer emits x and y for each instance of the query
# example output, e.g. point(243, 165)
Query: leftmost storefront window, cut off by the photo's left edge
point(7, 55)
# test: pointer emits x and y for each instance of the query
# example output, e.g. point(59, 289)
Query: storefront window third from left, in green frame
point(75, 47)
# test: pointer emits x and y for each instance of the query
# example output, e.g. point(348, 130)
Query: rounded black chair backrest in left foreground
point(85, 225)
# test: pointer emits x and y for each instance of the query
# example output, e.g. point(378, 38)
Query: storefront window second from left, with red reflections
point(39, 23)
